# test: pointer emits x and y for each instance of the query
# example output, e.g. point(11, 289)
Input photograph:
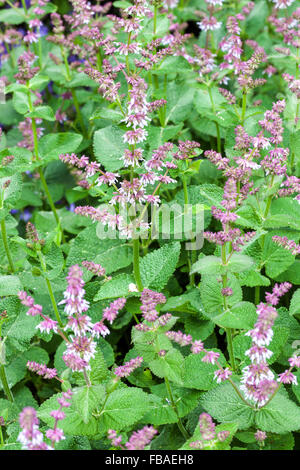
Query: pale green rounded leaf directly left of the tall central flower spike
point(109, 147)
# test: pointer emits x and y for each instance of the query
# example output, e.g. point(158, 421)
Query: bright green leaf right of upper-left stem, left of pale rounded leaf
point(52, 145)
